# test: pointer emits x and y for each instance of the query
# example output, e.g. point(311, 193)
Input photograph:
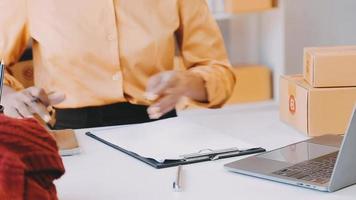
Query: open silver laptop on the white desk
point(326, 163)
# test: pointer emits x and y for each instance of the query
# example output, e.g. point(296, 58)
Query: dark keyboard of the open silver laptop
point(317, 170)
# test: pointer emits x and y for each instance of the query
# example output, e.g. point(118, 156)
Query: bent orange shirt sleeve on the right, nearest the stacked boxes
point(203, 52)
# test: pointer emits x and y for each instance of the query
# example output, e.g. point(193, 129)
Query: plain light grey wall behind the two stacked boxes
point(316, 23)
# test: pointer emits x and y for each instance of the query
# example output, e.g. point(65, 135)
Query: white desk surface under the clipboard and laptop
point(103, 173)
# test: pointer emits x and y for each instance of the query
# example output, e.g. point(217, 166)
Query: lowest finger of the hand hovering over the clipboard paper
point(165, 105)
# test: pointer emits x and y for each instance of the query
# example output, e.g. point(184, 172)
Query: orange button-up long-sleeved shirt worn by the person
point(101, 52)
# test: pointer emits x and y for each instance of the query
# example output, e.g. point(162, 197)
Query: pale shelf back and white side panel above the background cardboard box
point(255, 38)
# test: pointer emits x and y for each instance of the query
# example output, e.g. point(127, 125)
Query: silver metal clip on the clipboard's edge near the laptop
point(219, 154)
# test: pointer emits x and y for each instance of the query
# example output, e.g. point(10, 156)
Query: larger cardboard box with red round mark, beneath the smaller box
point(315, 111)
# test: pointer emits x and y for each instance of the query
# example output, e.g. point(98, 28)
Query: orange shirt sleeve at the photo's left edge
point(14, 35)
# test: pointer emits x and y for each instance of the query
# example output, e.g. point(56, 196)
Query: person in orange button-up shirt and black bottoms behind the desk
point(111, 62)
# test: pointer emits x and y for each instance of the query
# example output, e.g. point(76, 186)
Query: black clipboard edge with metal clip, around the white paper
point(202, 156)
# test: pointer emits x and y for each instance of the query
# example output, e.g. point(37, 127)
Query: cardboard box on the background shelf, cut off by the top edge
point(241, 6)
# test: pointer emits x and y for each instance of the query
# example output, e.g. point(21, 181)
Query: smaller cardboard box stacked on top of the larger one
point(330, 66)
